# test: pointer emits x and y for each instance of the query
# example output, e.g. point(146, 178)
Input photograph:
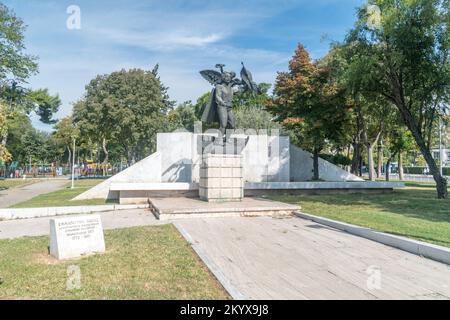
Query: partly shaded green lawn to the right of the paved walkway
point(412, 212)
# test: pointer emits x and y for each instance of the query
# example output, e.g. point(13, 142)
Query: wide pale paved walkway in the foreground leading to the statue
point(266, 258)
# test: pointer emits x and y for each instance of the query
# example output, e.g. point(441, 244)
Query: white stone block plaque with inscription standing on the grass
point(73, 237)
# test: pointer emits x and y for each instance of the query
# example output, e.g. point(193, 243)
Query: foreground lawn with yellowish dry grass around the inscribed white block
point(140, 263)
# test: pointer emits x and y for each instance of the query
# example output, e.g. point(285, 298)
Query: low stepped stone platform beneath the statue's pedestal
point(179, 208)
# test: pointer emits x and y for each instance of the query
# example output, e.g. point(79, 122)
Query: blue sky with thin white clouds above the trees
point(184, 37)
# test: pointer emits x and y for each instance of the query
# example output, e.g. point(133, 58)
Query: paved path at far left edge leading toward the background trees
point(12, 196)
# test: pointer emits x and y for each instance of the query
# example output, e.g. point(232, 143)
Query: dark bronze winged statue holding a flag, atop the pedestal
point(219, 107)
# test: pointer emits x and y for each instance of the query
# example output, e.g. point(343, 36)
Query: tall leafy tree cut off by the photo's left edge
point(15, 68)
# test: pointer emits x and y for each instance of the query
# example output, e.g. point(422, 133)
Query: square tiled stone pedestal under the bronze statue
point(221, 178)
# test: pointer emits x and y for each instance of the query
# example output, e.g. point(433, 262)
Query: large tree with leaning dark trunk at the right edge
point(406, 60)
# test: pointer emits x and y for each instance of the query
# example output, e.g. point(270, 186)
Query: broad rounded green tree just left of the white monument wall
point(123, 109)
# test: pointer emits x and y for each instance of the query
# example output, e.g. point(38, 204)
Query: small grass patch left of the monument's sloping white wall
point(62, 197)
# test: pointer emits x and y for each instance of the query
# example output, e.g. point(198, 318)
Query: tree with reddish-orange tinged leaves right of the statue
point(308, 101)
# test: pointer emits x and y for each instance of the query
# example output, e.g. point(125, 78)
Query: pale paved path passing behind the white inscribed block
point(111, 220)
